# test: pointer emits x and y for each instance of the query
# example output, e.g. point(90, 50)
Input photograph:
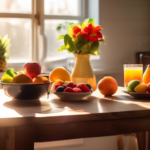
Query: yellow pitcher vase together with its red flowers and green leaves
point(83, 40)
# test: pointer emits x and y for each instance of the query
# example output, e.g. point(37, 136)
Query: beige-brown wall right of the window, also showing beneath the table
point(126, 27)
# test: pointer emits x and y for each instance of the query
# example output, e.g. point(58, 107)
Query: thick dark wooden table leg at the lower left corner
point(17, 138)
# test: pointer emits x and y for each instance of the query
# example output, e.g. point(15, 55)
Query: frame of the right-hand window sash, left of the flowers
point(41, 43)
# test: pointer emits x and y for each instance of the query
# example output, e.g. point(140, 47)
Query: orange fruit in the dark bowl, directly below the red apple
point(22, 78)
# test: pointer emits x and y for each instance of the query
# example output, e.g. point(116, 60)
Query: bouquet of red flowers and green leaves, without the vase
point(82, 38)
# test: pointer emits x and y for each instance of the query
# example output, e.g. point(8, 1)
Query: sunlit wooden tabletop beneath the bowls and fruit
point(95, 107)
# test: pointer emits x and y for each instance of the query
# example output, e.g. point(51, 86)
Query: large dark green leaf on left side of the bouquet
point(69, 43)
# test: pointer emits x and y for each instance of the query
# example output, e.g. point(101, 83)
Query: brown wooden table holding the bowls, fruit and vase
point(94, 117)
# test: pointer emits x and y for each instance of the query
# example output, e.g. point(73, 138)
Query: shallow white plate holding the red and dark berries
point(72, 96)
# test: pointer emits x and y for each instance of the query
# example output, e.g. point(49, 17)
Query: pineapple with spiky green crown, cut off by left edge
point(4, 51)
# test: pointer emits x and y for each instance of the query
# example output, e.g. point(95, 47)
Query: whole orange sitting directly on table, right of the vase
point(107, 86)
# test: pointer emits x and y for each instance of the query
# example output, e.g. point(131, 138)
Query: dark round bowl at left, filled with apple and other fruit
point(26, 91)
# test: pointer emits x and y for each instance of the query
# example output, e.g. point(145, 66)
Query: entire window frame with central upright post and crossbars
point(38, 46)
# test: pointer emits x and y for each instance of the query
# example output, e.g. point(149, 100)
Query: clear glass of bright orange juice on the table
point(132, 72)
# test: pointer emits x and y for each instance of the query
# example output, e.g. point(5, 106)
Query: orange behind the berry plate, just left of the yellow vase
point(59, 73)
